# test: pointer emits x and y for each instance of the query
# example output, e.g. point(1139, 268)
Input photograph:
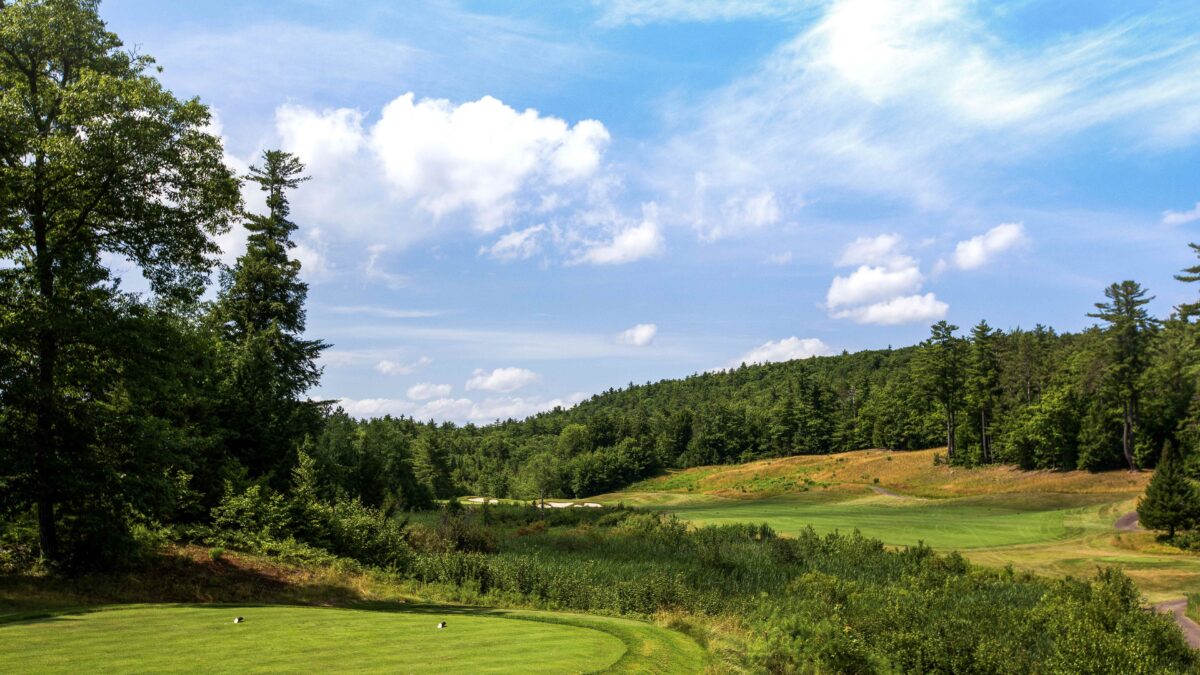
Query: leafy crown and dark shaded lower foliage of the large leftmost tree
point(98, 159)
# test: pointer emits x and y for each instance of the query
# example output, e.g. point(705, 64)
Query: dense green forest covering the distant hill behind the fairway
point(1107, 398)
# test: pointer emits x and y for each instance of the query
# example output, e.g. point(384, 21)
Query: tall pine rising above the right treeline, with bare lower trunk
point(1130, 328)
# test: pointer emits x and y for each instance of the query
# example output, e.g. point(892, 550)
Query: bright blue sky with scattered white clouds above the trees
point(521, 205)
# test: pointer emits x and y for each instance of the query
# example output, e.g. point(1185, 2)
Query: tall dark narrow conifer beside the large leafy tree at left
point(261, 318)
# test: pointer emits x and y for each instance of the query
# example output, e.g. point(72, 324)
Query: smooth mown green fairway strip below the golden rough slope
point(945, 524)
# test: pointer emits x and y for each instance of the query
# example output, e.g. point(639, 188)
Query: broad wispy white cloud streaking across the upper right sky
point(847, 107)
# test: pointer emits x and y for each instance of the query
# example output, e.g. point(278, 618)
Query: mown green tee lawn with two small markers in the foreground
point(398, 640)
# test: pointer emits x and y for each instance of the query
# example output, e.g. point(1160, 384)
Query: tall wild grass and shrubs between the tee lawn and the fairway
point(832, 604)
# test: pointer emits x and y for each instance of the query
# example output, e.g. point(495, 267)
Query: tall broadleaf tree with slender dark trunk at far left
point(97, 159)
